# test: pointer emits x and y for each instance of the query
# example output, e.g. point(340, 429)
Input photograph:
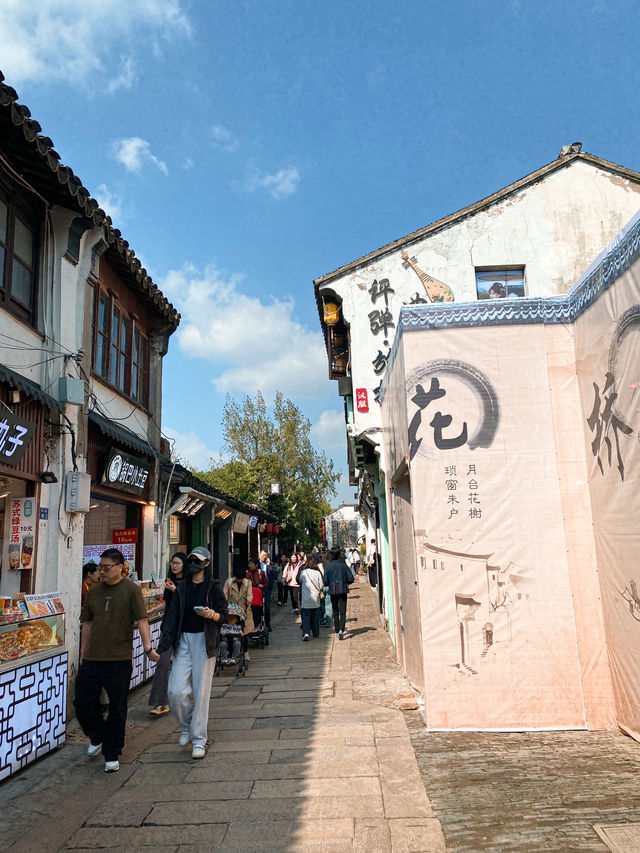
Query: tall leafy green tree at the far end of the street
point(275, 447)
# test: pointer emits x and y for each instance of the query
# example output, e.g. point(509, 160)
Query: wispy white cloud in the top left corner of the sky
point(72, 39)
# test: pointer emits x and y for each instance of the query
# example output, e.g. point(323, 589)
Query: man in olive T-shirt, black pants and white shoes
point(108, 615)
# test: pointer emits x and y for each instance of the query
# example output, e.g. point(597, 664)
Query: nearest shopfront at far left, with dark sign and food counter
point(33, 659)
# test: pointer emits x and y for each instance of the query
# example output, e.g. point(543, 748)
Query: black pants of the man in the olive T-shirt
point(114, 676)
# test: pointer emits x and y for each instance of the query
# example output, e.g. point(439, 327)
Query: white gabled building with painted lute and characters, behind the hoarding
point(531, 239)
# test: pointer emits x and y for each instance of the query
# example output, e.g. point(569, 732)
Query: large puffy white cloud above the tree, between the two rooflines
point(258, 345)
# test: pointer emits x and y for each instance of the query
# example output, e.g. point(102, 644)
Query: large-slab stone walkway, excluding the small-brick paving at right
point(308, 754)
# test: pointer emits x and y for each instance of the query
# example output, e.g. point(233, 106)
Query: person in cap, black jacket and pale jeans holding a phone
point(191, 629)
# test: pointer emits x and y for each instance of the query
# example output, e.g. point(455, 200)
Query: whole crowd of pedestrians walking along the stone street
point(204, 621)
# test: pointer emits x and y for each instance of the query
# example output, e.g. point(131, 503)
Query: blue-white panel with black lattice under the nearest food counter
point(33, 699)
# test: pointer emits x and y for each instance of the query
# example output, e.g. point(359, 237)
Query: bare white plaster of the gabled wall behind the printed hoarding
point(553, 228)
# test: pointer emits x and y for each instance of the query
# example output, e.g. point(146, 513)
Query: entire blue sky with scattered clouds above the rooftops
point(245, 148)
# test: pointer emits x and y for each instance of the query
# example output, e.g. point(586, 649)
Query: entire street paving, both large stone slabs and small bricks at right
point(310, 754)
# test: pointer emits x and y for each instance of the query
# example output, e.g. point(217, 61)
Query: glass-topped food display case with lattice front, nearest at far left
point(33, 686)
